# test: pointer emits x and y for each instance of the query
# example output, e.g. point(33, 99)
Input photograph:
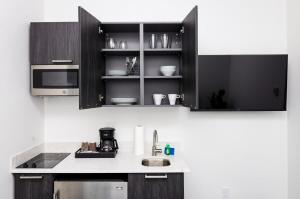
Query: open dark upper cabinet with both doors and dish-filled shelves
point(97, 88)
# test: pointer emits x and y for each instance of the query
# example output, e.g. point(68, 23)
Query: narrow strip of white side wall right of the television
point(293, 30)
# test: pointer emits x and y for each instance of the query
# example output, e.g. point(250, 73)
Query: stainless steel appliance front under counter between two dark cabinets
point(90, 190)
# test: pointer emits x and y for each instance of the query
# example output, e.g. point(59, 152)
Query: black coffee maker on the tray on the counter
point(107, 141)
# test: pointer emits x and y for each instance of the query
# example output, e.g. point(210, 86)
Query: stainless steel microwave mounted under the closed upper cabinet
point(54, 80)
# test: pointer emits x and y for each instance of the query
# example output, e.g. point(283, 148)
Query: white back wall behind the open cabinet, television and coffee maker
point(241, 150)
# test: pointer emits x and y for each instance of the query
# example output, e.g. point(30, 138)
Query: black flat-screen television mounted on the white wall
point(242, 82)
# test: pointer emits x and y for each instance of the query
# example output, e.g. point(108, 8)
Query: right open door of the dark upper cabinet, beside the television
point(190, 59)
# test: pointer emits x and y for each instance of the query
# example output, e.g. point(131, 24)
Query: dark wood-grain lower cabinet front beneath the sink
point(155, 186)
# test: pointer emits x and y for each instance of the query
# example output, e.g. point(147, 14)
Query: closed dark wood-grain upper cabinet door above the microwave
point(54, 42)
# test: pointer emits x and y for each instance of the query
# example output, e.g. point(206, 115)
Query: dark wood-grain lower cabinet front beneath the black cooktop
point(34, 186)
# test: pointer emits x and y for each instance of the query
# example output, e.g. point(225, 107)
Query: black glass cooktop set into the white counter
point(44, 160)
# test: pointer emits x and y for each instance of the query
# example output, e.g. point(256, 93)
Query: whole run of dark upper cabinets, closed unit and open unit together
point(84, 43)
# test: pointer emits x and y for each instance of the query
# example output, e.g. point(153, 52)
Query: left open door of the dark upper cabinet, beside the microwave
point(91, 67)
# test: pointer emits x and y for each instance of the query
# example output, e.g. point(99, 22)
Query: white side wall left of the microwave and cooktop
point(21, 116)
